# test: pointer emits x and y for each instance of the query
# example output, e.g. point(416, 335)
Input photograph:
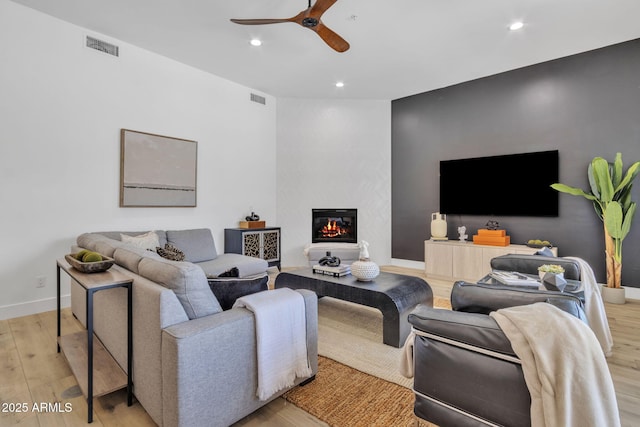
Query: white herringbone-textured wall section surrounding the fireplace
point(334, 154)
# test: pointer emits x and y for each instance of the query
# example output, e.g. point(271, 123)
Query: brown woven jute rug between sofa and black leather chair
point(344, 397)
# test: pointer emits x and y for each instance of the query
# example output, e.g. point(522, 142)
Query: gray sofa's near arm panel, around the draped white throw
point(209, 374)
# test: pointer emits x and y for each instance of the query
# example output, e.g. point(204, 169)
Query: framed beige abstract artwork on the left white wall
point(156, 170)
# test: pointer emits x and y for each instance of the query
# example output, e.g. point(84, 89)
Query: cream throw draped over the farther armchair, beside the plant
point(594, 307)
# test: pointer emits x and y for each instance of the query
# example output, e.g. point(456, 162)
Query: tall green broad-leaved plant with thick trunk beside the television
point(611, 197)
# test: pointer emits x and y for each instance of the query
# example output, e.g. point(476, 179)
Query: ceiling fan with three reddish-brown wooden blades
point(308, 18)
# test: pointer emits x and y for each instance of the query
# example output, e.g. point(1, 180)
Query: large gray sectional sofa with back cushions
point(193, 362)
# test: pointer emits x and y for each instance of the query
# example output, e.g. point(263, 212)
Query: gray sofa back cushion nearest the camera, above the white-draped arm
point(186, 280)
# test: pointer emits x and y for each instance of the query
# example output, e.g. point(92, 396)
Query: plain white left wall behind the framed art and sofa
point(62, 106)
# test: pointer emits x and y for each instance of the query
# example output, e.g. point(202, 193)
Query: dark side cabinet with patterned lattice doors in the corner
point(257, 242)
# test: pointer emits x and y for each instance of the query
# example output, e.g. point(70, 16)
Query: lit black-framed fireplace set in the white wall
point(334, 225)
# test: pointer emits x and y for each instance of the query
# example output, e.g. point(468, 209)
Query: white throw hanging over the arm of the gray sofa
point(281, 338)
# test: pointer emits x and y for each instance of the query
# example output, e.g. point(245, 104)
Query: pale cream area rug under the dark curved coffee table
point(352, 335)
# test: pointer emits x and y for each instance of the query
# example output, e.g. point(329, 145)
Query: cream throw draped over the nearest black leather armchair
point(563, 365)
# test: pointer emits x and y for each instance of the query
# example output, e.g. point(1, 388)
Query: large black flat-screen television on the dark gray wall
point(507, 185)
